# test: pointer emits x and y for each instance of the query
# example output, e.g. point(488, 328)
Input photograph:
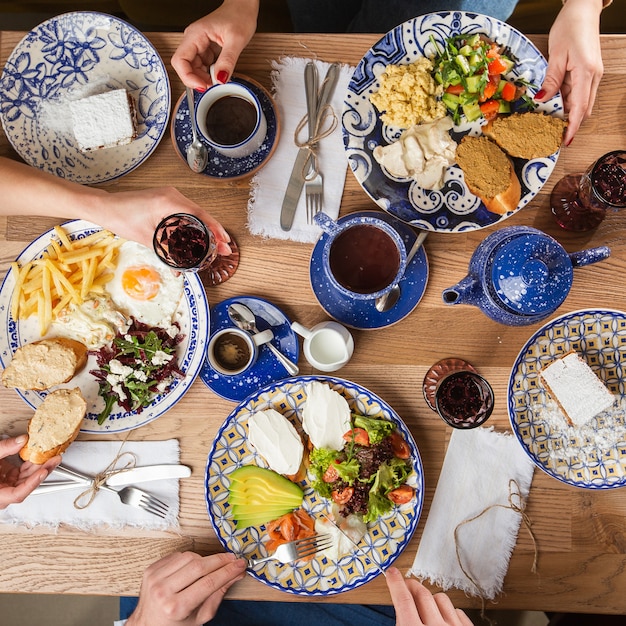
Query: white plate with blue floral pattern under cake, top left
point(73, 56)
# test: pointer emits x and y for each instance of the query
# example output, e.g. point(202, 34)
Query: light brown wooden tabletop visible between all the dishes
point(581, 534)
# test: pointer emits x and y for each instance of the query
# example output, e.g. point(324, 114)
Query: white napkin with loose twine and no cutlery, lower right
point(476, 475)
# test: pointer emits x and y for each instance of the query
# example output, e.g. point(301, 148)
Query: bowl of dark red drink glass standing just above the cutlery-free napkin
point(464, 399)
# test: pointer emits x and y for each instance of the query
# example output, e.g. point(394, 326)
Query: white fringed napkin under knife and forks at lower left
point(91, 457)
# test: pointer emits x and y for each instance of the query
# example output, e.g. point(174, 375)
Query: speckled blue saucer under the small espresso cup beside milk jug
point(267, 368)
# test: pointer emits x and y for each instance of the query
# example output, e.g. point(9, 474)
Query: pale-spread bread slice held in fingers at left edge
point(55, 424)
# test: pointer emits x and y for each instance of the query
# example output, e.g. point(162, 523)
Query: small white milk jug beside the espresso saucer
point(328, 346)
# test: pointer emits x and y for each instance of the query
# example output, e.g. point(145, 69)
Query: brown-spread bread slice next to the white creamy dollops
point(489, 174)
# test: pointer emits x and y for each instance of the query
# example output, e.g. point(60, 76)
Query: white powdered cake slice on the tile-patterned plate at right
point(577, 390)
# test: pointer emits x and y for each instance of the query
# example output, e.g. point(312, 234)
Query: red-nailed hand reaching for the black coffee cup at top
point(218, 38)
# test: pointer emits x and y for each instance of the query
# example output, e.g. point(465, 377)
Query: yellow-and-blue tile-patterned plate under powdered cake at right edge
point(592, 456)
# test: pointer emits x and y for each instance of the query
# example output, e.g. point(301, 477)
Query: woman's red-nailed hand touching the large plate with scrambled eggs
point(574, 61)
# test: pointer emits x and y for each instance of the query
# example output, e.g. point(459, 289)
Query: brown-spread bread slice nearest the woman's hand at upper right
point(526, 135)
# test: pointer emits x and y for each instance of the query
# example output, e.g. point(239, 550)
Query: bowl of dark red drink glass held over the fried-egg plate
point(185, 243)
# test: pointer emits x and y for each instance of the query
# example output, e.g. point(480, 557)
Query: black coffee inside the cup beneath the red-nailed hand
point(231, 120)
